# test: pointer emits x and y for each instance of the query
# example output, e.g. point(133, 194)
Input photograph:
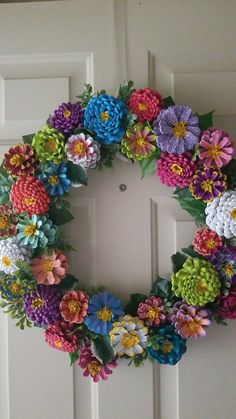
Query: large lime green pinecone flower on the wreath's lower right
point(197, 282)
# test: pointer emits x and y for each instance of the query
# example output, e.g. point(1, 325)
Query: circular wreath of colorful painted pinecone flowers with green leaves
point(93, 326)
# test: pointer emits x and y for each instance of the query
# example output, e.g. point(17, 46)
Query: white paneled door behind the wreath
point(48, 49)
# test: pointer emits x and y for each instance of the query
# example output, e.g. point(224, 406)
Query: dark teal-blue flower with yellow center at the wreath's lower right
point(166, 346)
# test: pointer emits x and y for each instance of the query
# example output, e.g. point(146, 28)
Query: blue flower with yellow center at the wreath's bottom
point(102, 311)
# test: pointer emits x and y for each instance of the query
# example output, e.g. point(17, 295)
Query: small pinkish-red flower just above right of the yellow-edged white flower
point(152, 311)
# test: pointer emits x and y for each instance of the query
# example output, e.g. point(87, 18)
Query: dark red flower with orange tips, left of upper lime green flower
point(20, 160)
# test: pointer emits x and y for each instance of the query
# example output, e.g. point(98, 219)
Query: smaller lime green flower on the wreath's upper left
point(49, 145)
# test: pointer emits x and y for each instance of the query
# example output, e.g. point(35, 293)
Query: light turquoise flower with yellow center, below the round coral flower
point(36, 232)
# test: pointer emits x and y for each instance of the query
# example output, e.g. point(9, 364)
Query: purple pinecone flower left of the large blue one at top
point(67, 117)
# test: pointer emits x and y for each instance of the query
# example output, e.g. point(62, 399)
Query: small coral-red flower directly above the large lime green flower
point(206, 242)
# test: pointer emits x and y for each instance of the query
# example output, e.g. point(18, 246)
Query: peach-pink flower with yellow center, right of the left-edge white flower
point(50, 269)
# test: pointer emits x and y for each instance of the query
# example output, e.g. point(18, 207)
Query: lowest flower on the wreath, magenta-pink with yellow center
point(92, 366)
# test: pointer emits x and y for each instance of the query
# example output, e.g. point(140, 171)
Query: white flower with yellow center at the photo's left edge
point(11, 252)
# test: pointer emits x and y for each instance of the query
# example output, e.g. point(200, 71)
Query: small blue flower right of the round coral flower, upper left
point(55, 179)
